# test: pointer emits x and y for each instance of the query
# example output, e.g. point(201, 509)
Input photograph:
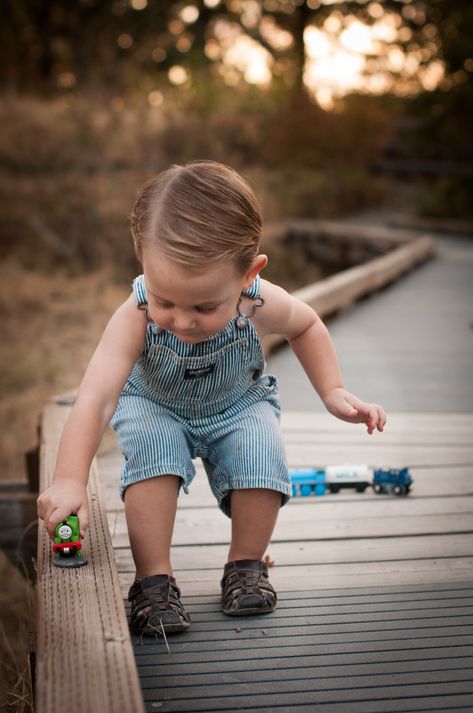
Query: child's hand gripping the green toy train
point(64, 497)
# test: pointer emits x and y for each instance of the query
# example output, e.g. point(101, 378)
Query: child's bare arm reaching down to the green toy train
point(109, 368)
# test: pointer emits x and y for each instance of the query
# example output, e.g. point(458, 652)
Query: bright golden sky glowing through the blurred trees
point(342, 56)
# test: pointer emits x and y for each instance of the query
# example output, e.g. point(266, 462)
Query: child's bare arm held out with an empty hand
point(311, 342)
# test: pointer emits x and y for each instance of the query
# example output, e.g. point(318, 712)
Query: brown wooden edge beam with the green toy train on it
point(85, 661)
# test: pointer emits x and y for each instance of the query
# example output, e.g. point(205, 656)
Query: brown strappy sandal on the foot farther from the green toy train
point(246, 589)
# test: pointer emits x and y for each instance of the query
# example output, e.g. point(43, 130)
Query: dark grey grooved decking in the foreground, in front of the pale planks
point(322, 651)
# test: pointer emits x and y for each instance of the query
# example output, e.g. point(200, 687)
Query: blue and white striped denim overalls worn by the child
point(209, 400)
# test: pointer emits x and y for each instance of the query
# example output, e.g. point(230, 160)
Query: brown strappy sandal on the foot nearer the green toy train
point(156, 604)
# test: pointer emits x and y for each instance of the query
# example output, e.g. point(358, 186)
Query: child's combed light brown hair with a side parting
point(200, 213)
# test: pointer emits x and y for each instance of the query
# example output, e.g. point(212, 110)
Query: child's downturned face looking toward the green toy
point(191, 305)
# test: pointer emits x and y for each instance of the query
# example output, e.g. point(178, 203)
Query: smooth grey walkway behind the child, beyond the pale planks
point(409, 347)
